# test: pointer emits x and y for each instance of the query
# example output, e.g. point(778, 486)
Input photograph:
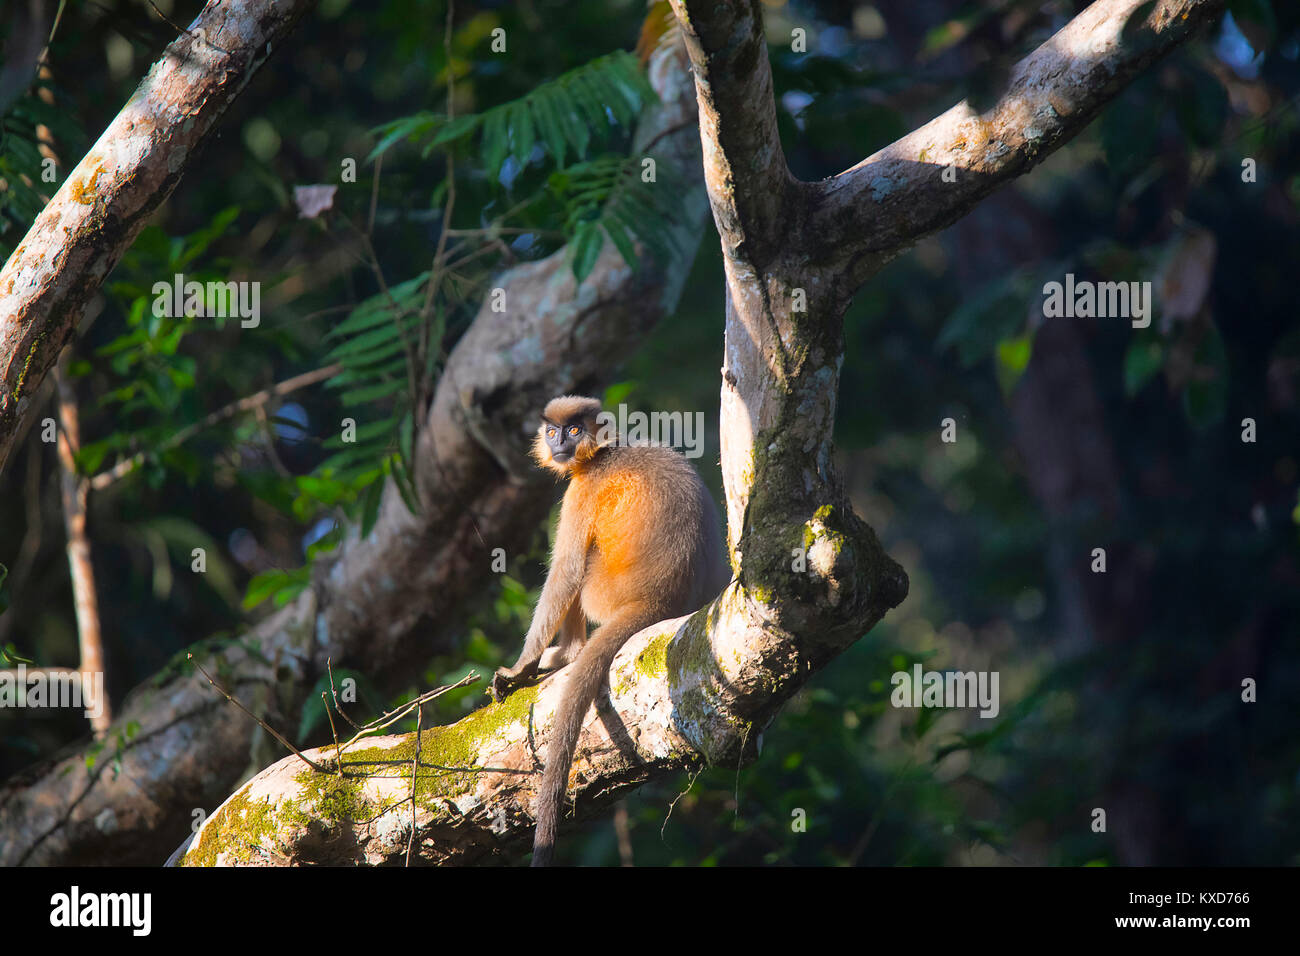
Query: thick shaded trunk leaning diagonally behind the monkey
point(388, 600)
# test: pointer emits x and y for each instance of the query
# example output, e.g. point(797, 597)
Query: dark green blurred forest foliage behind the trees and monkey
point(1119, 691)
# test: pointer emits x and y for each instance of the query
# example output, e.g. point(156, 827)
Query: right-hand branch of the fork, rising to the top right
point(874, 211)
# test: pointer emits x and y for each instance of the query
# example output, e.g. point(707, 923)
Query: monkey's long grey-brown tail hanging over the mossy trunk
point(583, 684)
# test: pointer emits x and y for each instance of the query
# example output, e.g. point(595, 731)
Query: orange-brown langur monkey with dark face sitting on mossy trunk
point(639, 542)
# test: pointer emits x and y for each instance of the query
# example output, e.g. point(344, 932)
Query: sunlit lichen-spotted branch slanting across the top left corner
point(111, 194)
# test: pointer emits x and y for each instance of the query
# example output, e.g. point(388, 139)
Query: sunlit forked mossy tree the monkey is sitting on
point(703, 689)
